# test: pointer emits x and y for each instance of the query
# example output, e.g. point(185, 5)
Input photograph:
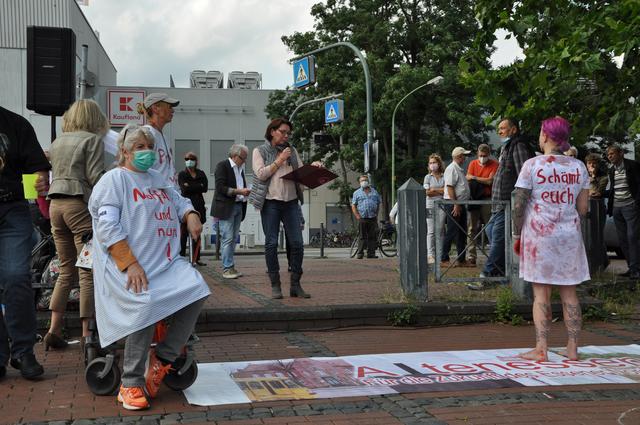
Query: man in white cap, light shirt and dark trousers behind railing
point(456, 188)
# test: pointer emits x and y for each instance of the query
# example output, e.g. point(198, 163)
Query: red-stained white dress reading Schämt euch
point(552, 250)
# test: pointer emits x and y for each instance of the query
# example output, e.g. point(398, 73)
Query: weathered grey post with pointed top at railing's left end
point(412, 239)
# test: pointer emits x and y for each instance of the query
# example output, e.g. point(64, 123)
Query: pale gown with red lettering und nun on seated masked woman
point(145, 209)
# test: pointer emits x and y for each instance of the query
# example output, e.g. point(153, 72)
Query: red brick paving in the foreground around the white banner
point(62, 397)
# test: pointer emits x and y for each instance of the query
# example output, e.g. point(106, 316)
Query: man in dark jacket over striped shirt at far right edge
point(624, 206)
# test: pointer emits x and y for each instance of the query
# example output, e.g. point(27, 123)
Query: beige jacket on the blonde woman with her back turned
point(77, 162)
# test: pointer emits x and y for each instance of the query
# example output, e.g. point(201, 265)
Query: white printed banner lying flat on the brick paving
point(331, 377)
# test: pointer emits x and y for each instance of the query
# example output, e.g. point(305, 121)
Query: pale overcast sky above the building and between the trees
point(149, 39)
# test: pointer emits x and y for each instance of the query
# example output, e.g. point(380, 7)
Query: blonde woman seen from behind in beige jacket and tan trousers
point(77, 161)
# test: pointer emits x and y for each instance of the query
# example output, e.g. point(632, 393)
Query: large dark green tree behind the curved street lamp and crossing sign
point(406, 43)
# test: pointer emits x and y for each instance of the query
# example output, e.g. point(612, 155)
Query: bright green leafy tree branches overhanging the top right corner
point(581, 62)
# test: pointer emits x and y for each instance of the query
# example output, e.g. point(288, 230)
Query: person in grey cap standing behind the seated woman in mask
point(158, 108)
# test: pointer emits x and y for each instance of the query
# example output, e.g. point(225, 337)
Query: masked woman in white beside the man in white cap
point(434, 187)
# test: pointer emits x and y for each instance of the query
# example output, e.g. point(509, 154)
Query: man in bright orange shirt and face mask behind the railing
point(480, 177)
